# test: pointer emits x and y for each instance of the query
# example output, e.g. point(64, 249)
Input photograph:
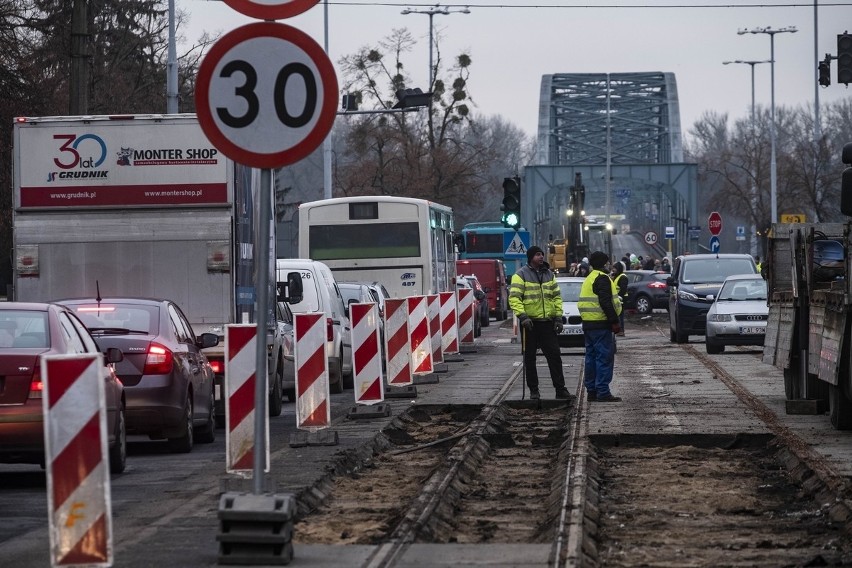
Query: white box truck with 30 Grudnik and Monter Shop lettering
point(140, 205)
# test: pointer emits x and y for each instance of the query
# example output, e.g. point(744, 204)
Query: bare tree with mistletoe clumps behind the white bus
point(444, 153)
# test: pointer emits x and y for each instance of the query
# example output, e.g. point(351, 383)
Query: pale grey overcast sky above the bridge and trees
point(513, 44)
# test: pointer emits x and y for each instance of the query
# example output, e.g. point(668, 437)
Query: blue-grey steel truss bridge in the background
point(622, 132)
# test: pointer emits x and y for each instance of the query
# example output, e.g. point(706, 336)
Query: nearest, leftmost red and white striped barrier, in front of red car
point(75, 439)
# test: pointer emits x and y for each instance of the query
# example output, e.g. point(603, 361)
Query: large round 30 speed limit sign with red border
point(266, 95)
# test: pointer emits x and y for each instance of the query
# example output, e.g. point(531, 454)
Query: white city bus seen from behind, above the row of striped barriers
point(404, 243)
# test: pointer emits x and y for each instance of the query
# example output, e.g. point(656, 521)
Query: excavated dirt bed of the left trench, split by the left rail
point(501, 496)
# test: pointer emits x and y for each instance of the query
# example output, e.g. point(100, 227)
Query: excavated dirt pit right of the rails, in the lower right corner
point(691, 506)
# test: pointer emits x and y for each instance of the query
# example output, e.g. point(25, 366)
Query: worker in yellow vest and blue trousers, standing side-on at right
point(599, 306)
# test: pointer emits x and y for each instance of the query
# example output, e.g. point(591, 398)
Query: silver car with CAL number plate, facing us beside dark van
point(738, 314)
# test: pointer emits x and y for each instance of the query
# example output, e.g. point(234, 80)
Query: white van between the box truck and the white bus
point(321, 294)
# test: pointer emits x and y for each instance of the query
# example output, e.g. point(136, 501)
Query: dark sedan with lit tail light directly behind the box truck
point(168, 381)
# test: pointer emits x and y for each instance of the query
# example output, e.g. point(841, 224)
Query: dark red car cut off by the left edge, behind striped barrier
point(29, 331)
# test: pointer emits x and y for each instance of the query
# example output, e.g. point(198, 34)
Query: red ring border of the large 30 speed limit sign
point(328, 110)
